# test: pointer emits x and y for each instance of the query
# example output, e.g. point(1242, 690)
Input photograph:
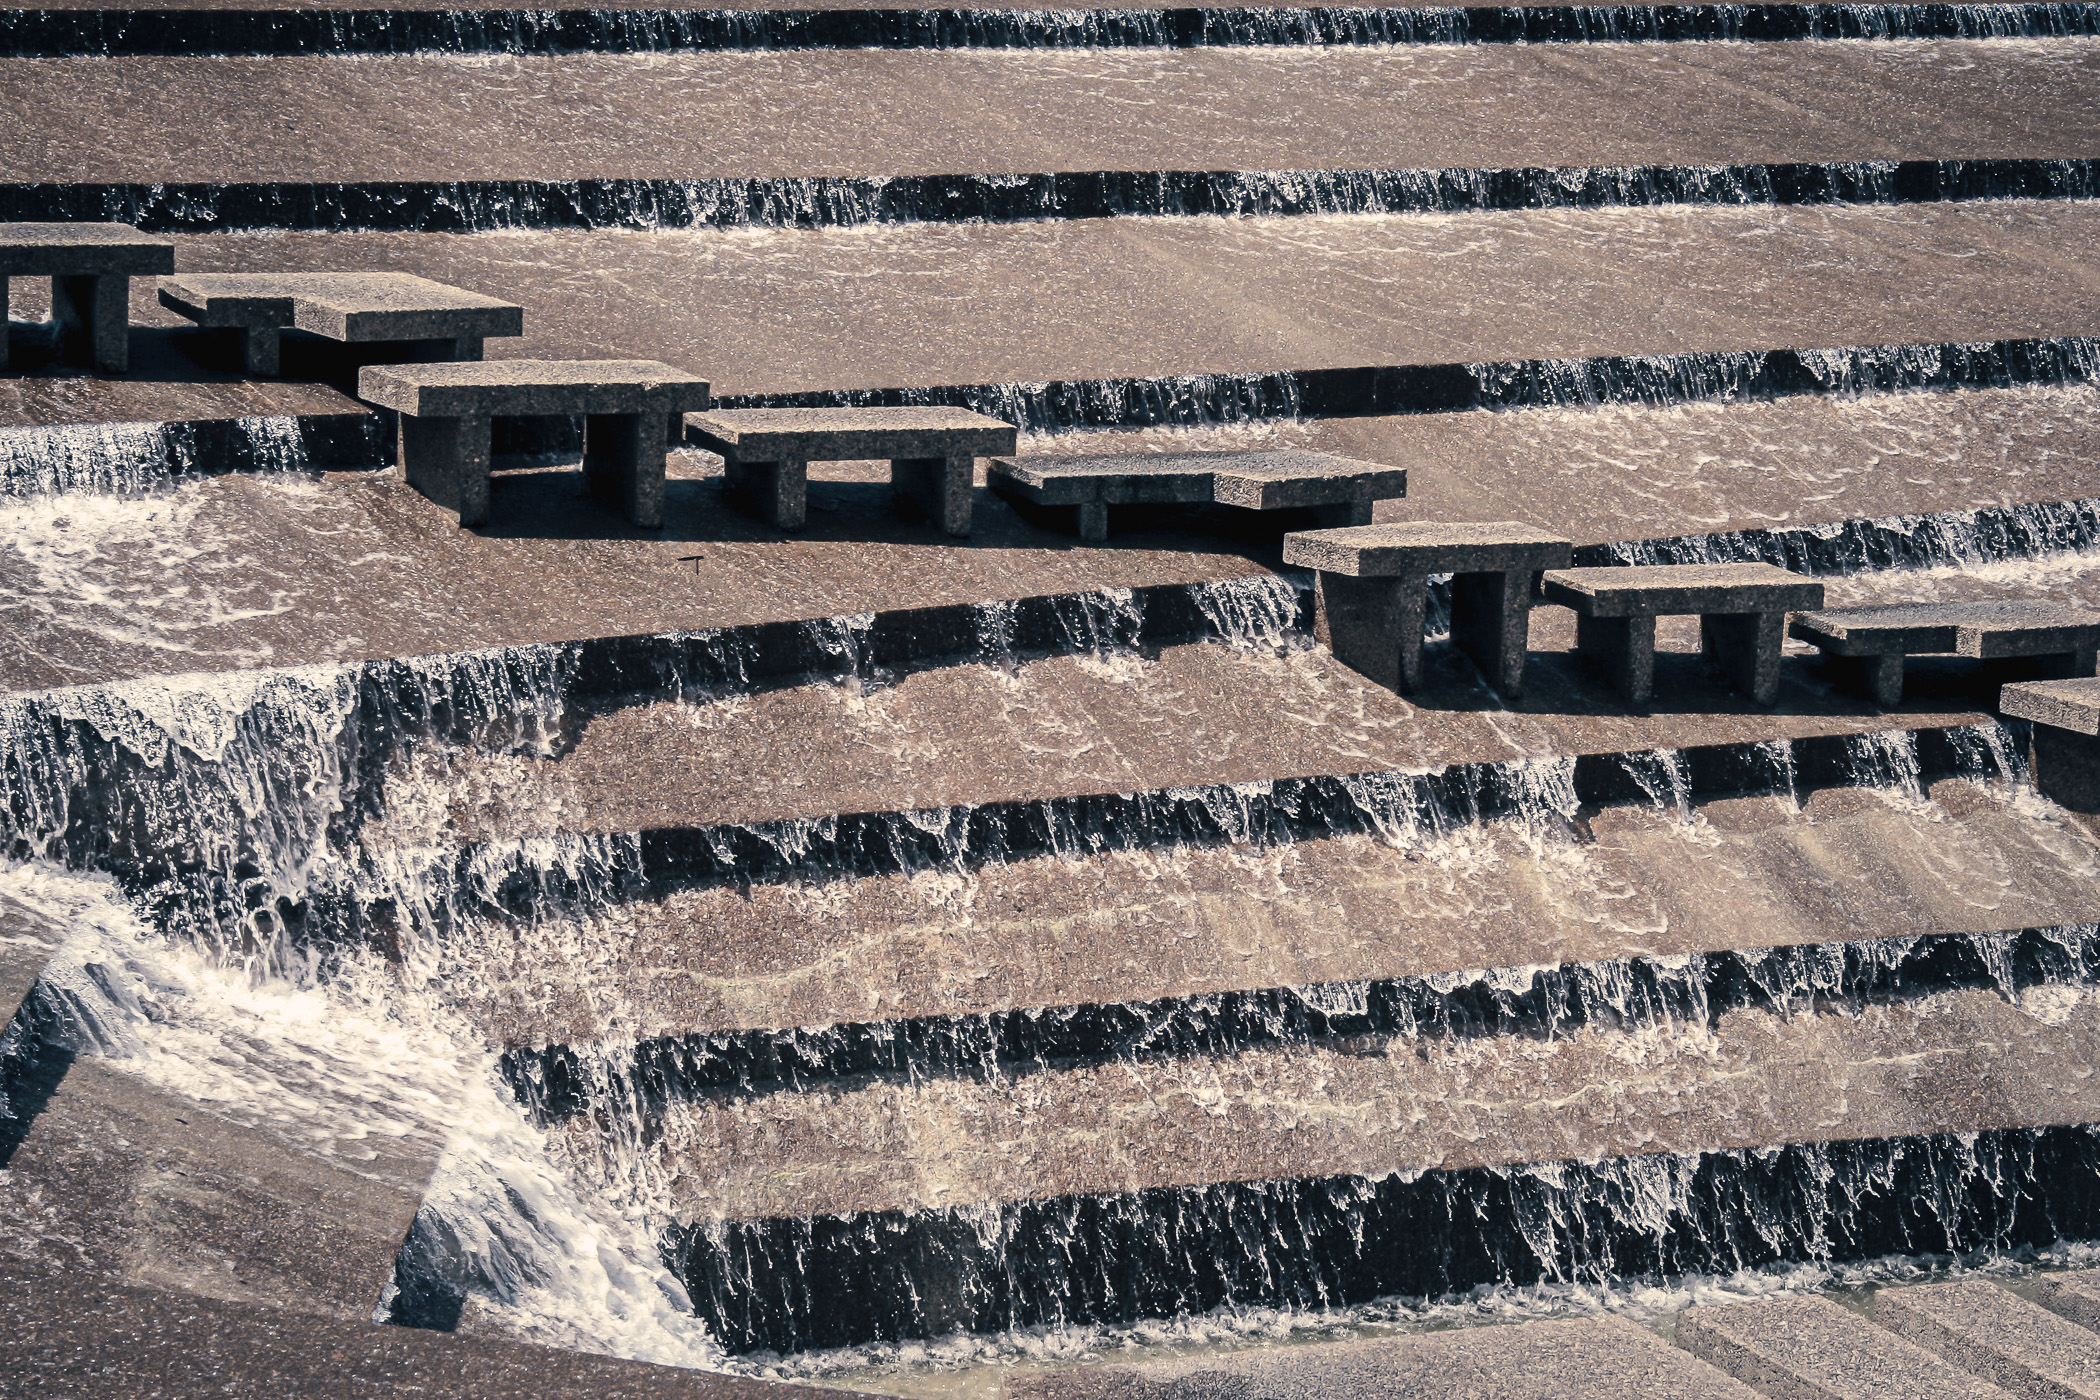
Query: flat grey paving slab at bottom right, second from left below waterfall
point(1809, 1349)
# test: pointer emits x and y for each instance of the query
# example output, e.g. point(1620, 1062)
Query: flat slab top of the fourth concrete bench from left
point(849, 436)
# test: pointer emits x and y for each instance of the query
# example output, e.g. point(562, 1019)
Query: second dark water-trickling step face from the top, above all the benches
point(822, 203)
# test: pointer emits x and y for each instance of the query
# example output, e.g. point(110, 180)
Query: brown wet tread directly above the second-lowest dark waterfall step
point(1135, 927)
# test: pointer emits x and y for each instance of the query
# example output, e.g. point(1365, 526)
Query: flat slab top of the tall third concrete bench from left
point(532, 387)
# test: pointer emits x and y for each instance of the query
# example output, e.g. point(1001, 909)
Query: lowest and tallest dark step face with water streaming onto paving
point(1330, 1242)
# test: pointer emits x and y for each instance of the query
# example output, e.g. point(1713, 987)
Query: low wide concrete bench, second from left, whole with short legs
point(350, 307)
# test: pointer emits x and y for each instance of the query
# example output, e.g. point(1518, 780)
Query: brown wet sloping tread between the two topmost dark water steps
point(887, 112)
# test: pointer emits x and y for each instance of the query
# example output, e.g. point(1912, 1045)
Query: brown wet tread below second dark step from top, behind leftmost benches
point(904, 305)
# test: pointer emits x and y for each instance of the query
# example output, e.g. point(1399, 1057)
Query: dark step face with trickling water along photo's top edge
point(140, 33)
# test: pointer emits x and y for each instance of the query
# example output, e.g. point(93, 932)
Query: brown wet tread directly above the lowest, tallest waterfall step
point(1956, 1063)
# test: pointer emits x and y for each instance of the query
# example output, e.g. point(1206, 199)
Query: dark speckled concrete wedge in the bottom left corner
point(75, 1338)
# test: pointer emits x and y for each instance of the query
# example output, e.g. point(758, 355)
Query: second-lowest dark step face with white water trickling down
point(562, 1082)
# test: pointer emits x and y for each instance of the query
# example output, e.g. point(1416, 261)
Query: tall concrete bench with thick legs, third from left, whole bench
point(446, 417)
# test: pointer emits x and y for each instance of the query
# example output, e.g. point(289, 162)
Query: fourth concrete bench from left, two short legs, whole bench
point(931, 450)
